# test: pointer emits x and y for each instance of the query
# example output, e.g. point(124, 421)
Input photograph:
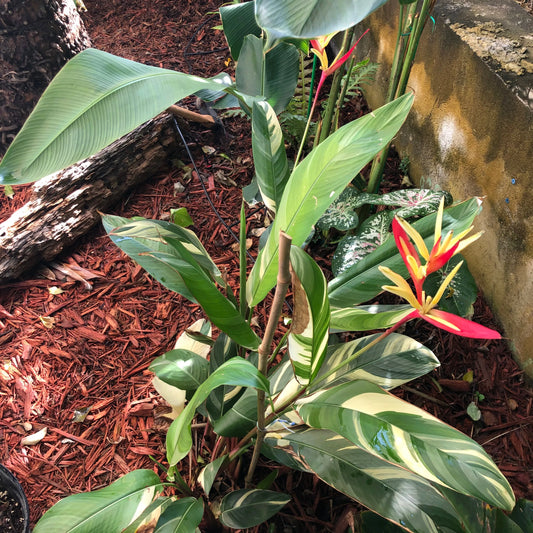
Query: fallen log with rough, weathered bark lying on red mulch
point(65, 206)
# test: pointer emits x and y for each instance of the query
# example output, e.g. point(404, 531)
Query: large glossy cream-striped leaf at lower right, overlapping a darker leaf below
point(403, 434)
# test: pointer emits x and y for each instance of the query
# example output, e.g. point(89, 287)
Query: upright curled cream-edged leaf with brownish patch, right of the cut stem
point(308, 337)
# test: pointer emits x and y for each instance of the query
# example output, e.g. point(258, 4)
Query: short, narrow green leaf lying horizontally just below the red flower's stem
point(367, 317)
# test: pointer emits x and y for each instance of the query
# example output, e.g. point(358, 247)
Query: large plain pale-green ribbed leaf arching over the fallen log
point(95, 99)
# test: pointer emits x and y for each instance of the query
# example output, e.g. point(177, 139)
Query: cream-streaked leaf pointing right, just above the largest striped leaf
point(390, 363)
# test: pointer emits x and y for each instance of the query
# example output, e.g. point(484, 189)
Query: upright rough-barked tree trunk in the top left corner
point(37, 37)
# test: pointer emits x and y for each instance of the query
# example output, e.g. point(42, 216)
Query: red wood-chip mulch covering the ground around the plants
point(90, 349)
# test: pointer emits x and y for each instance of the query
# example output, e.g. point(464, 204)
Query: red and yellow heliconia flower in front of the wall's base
point(424, 306)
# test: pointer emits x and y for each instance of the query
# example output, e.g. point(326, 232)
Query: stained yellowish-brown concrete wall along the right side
point(471, 132)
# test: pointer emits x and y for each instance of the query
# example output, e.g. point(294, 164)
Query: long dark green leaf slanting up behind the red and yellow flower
point(363, 281)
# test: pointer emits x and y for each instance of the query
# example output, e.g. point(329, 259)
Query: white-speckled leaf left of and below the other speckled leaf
point(353, 248)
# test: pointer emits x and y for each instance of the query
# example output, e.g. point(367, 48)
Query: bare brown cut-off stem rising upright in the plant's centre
point(264, 350)
